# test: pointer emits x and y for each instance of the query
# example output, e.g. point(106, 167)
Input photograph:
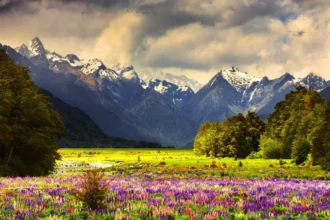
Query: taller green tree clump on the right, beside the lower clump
point(293, 124)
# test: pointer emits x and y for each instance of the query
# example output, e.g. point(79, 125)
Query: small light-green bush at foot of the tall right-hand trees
point(271, 148)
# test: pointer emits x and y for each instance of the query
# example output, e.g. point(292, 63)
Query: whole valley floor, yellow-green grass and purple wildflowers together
point(171, 184)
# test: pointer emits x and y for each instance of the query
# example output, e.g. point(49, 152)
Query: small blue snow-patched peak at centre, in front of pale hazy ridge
point(178, 94)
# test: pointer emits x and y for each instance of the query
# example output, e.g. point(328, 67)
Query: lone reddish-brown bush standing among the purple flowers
point(94, 189)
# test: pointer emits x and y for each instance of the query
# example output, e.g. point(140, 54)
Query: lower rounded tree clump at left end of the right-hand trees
point(237, 137)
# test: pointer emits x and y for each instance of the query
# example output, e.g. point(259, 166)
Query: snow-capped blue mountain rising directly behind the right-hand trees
point(232, 91)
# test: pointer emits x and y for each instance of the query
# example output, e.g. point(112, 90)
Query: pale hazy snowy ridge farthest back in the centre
point(168, 77)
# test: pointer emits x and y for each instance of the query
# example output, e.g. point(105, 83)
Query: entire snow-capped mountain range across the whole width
point(167, 110)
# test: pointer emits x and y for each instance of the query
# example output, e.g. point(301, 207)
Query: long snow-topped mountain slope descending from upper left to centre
point(116, 99)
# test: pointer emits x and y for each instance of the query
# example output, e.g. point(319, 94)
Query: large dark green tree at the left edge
point(29, 127)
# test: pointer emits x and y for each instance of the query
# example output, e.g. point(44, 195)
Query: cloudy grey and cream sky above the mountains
point(196, 38)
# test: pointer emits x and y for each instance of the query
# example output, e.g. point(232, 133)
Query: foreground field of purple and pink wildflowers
point(166, 196)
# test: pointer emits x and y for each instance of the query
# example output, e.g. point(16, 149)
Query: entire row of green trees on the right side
point(299, 125)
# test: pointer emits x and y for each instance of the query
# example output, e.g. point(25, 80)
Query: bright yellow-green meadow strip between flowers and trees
point(182, 161)
